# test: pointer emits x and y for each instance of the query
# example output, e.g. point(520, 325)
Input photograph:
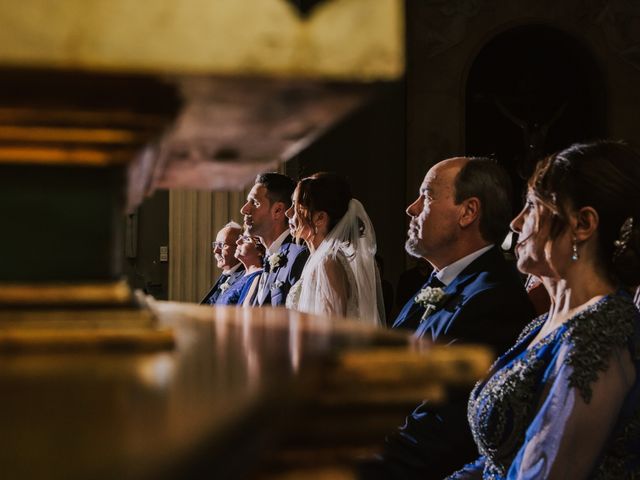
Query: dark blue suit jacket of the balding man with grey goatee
point(486, 303)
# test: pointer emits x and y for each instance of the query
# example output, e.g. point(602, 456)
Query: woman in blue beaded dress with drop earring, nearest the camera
point(564, 402)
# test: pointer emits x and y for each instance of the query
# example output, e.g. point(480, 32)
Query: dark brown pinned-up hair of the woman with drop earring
point(604, 175)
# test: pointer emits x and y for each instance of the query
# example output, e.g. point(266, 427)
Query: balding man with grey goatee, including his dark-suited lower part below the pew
point(474, 295)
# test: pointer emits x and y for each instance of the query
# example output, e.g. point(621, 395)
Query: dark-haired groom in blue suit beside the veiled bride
point(268, 200)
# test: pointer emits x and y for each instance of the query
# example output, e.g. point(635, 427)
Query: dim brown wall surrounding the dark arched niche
point(444, 38)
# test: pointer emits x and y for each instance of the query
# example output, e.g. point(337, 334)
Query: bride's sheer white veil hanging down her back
point(352, 243)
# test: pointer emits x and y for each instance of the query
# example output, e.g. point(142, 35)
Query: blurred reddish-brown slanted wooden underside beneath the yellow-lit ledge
point(231, 129)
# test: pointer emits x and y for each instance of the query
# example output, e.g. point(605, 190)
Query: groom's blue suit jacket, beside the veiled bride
point(280, 278)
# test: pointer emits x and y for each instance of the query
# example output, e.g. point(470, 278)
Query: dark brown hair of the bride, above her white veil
point(322, 192)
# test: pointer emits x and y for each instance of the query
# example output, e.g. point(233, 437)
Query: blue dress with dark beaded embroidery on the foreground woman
point(524, 415)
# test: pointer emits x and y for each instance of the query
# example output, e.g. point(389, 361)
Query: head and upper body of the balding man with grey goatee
point(457, 223)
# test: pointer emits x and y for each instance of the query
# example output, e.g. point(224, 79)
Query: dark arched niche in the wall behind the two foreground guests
point(532, 90)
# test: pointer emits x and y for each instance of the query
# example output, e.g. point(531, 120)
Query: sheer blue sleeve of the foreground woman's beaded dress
point(569, 431)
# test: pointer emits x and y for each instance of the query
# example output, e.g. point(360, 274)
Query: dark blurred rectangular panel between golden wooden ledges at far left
point(64, 223)
